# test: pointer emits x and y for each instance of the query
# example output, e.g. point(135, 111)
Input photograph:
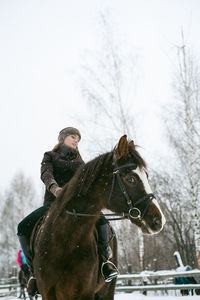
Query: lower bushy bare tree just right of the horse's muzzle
point(178, 233)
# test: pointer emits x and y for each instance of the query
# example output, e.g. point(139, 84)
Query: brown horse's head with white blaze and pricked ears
point(130, 192)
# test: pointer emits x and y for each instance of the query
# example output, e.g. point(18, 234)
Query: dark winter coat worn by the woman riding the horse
point(58, 167)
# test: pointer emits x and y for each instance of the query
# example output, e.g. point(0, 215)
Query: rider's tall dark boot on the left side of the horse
point(31, 280)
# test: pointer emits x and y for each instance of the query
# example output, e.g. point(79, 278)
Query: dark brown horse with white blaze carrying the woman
point(66, 261)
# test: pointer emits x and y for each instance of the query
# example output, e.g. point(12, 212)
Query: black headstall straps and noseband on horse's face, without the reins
point(134, 212)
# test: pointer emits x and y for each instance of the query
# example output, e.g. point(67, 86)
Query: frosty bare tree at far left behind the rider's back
point(19, 200)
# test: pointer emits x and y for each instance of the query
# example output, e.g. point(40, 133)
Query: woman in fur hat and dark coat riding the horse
point(57, 168)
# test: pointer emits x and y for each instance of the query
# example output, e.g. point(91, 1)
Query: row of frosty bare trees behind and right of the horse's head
point(108, 90)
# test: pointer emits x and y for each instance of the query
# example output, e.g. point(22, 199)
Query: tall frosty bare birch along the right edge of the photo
point(183, 129)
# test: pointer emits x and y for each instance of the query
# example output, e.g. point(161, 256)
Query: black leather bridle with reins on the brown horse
point(134, 212)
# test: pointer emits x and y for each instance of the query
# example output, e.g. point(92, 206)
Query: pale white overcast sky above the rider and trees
point(42, 45)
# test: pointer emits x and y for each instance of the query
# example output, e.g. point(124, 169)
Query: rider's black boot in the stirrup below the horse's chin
point(108, 269)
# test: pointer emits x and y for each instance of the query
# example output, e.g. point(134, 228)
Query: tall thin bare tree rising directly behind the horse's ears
point(109, 87)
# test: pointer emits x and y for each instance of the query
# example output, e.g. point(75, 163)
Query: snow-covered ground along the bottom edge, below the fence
point(135, 296)
